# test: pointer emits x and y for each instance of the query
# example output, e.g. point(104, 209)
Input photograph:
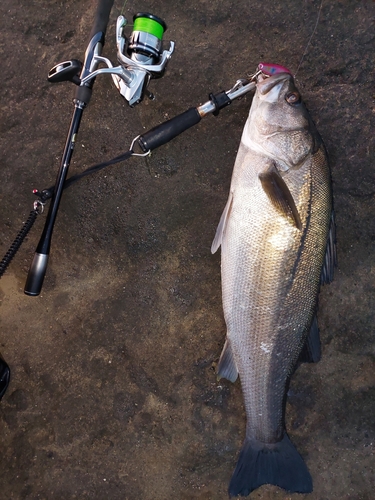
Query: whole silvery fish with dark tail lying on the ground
point(278, 245)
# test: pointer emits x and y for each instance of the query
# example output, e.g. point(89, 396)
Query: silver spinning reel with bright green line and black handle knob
point(140, 56)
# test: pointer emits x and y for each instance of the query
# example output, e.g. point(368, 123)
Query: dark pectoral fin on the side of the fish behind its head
point(278, 193)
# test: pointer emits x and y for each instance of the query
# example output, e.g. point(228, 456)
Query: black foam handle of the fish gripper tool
point(163, 133)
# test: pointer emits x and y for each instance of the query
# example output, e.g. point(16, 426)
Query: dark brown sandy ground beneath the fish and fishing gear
point(113, 391)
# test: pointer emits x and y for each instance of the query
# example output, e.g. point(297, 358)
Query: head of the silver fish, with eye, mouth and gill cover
point(279, 124)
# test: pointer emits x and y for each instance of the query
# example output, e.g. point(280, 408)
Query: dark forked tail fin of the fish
point(279, 464)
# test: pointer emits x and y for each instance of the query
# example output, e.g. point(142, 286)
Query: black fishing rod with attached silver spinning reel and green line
point(140, 60)
